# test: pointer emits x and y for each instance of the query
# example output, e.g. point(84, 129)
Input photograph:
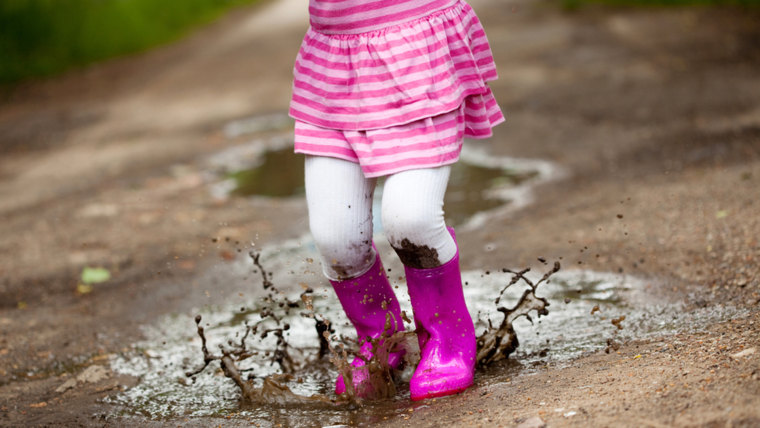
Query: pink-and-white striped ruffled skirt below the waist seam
point(399, 98)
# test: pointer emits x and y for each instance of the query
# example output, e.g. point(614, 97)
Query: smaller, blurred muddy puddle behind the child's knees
point(480, 185)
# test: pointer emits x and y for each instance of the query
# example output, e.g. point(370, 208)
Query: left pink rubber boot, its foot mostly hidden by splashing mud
point(363, 299)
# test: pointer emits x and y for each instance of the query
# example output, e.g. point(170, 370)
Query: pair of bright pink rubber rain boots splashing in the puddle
point(445, 330)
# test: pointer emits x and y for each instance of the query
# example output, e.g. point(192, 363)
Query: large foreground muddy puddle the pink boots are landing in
point(584, 305)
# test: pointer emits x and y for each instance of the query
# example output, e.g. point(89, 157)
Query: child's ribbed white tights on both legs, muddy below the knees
point(340, 216)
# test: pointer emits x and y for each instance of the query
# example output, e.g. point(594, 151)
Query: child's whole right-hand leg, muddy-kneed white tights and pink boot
point(413, 220)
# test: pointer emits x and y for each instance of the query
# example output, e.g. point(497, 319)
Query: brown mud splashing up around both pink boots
point(493, 345)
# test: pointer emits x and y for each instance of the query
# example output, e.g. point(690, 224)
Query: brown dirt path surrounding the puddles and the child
point(654, 113)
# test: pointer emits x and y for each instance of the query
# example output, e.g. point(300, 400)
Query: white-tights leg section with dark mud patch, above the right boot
point(413, 217)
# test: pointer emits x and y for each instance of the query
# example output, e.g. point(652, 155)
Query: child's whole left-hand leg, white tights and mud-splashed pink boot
point(340, 217)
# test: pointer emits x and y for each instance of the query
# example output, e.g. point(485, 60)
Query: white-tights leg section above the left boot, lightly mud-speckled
point(340, 215)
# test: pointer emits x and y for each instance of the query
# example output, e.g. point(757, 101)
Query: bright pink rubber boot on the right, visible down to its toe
point(445, 331)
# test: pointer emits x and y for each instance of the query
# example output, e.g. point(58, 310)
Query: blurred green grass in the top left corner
point(42, 37)
